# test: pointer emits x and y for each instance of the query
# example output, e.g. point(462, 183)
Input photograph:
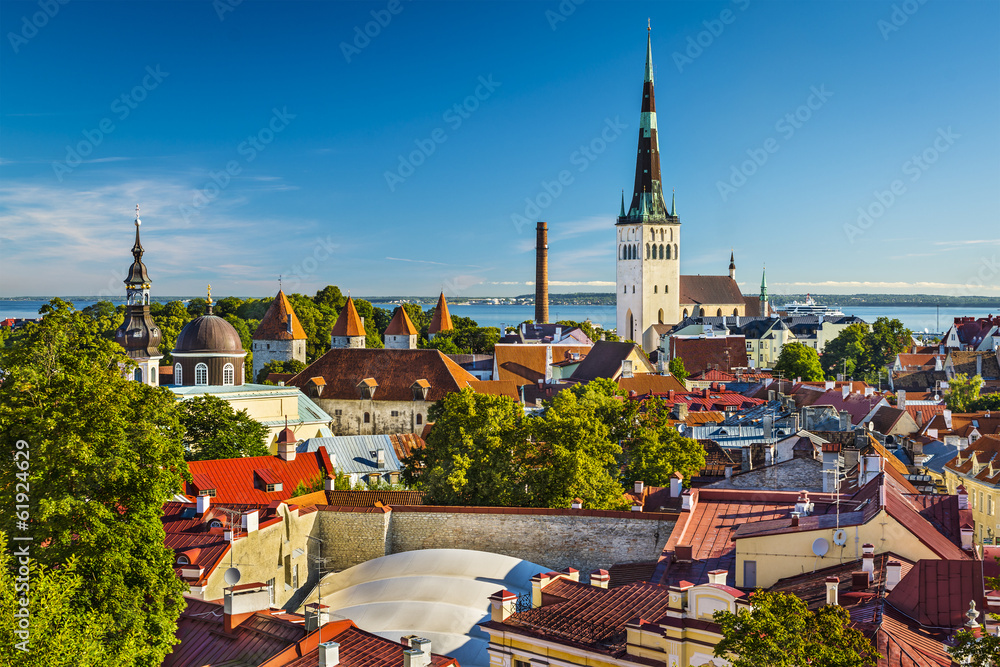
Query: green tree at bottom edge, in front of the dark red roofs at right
point(780, 631)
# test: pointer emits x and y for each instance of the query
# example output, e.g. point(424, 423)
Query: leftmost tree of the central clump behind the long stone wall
point(472, 455)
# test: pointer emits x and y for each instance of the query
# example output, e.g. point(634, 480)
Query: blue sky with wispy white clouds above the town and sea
point(312, 122)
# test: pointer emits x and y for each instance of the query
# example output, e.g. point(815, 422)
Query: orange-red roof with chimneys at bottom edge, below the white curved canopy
point(358, 648)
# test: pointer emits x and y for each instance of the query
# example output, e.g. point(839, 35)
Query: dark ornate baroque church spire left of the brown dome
point(138, 334)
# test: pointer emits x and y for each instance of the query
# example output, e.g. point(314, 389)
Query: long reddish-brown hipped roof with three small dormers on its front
point(395, 371)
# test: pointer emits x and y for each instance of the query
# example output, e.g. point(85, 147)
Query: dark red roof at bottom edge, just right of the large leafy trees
point(203, 642)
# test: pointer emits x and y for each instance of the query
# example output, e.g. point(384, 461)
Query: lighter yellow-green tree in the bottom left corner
point(61, 633)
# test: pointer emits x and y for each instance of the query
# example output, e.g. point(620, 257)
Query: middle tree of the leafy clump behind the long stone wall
point(574, 453)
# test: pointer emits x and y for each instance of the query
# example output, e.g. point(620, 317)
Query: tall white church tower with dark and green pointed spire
point(648, 238)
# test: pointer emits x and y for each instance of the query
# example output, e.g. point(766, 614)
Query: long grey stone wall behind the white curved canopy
point(555, 538)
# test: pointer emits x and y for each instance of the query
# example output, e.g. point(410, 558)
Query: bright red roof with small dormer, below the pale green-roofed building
point(236, 480)
